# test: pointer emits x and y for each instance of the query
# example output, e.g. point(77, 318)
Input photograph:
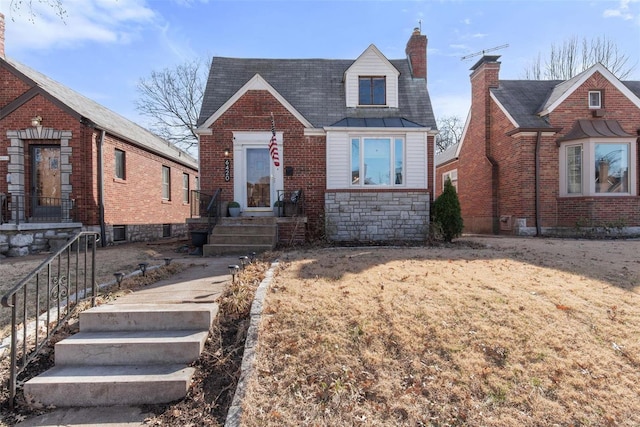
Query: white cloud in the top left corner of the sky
point(102, 21)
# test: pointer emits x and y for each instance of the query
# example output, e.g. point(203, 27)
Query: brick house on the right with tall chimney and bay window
point(548, 157)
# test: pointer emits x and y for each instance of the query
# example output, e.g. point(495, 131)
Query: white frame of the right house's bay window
point(588, 167)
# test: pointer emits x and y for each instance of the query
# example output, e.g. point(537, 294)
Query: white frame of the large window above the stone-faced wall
point(393, 139)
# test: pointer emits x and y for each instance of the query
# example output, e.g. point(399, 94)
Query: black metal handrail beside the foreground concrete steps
point(46, 297)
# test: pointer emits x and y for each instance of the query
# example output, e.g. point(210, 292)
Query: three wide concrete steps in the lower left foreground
point(125, 354)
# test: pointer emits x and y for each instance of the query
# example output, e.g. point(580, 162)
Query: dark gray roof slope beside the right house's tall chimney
point(523, 99)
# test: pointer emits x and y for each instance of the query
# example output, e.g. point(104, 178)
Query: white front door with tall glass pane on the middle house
point(256, 179)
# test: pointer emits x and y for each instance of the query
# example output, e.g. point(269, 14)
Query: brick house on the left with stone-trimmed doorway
point(68, 163)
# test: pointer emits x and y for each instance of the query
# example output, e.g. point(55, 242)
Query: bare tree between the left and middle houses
point(172, 99)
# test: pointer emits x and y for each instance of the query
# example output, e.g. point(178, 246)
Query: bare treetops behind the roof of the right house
point(574, 56)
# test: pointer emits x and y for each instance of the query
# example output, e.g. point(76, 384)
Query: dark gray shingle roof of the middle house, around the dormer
point(315, 88)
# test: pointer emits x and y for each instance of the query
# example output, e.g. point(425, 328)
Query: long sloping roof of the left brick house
point(104, 118)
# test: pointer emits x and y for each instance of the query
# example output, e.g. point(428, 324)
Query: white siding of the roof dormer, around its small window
point(370, 63)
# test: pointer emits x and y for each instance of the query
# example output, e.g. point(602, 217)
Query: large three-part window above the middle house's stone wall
point(377, 161)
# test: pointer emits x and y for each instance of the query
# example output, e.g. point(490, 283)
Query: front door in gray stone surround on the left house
point(45, 182)
